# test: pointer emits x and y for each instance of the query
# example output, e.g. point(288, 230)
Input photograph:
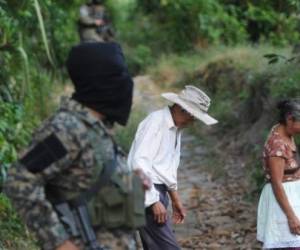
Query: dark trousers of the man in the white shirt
point(156, 236)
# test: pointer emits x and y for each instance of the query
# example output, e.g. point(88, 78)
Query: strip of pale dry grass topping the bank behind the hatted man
point(170, 69)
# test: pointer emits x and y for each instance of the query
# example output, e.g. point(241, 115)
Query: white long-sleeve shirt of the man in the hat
point(156, 150)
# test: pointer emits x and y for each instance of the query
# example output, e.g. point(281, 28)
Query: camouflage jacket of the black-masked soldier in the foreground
point(66, 152)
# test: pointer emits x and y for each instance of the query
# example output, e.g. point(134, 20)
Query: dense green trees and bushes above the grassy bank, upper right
point(149, 28)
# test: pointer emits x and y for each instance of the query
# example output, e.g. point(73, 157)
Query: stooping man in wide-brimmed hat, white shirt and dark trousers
point(156, 150)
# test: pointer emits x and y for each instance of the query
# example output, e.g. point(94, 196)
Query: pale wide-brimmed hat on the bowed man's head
point(194, 101)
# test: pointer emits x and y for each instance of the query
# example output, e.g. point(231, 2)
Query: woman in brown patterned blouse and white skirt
point(278, 220)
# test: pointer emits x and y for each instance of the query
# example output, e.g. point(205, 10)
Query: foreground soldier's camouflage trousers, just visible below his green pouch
point(114, 240)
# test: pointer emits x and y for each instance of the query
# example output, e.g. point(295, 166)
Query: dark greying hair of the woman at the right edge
point(289, 107)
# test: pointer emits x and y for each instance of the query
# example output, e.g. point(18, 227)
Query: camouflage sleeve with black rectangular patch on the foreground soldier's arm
point(26, 182)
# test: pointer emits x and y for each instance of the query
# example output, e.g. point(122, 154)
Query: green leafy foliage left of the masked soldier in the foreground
point(30, 66)
